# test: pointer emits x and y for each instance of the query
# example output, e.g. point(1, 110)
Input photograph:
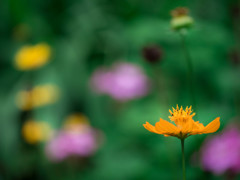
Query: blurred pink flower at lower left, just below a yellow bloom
point(71, 143)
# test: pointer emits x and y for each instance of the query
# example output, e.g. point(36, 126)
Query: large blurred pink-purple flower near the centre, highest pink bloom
point(124, 81)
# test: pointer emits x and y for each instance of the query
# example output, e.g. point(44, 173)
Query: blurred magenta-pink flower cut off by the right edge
point(221, 153)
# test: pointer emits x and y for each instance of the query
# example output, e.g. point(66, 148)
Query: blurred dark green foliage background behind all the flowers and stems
point(87, 34)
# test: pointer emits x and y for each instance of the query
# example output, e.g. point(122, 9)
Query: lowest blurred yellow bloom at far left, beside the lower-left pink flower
point(34, 131)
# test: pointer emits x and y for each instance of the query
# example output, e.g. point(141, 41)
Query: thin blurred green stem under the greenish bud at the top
point(190, 68)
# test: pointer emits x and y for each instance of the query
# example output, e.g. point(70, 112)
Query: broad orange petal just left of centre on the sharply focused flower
point(165, 127)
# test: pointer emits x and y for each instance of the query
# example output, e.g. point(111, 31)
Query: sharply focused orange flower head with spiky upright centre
point(185, 125)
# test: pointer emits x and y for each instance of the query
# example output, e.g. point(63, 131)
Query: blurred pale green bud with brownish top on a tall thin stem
point(180, 18)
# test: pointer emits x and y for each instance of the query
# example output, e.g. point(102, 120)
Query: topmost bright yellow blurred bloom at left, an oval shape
point(32, 57)
